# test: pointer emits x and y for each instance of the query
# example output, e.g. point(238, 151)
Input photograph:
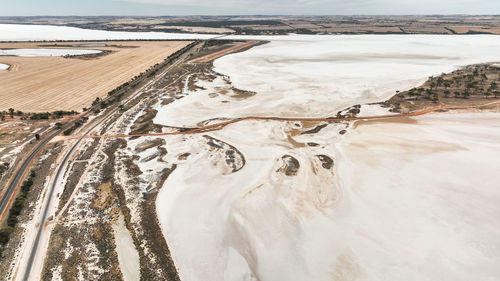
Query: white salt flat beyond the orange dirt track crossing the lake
point(316, 76)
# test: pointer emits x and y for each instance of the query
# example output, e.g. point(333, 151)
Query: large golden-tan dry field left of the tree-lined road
point(55, 83)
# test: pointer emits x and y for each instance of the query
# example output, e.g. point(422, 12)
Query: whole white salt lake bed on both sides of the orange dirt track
point(395, 188)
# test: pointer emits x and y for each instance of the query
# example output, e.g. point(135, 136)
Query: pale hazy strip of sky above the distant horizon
point(233, 7)
